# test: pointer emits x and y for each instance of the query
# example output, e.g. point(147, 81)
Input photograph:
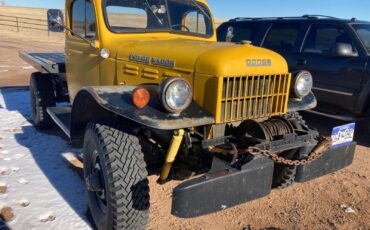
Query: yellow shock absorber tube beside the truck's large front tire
point(171, 154)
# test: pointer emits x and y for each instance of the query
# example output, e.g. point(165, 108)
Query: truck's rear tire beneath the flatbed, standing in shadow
point(42, 96)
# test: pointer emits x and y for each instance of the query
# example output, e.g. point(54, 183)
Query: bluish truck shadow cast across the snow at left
point(47, 149)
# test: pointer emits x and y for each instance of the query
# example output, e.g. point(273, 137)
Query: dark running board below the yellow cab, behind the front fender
point(61, 116)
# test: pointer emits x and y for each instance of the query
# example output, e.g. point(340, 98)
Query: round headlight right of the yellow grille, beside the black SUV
point(303, 84)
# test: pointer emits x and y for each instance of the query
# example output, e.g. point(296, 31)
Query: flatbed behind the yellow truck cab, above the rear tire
point(53, 63)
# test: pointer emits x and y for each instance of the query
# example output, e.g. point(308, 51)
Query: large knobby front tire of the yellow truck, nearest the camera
point(123, 177)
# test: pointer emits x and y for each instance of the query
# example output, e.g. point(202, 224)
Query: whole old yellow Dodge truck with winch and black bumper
point(149, 91)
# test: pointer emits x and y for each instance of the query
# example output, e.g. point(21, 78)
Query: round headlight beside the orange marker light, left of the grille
point(176, 94)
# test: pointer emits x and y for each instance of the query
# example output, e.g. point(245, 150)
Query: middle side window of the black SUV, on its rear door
point(282, 37)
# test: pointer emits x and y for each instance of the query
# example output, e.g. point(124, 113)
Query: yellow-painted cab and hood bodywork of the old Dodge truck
point(202, 61)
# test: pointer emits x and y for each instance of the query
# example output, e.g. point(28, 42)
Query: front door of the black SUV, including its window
point(337, 79)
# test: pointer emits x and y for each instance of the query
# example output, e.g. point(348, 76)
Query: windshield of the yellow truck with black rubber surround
point(179, 16)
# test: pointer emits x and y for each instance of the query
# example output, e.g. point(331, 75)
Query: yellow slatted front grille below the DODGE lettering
point(252, 97)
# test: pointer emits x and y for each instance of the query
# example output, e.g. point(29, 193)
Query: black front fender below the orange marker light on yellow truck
point(117, 100)
